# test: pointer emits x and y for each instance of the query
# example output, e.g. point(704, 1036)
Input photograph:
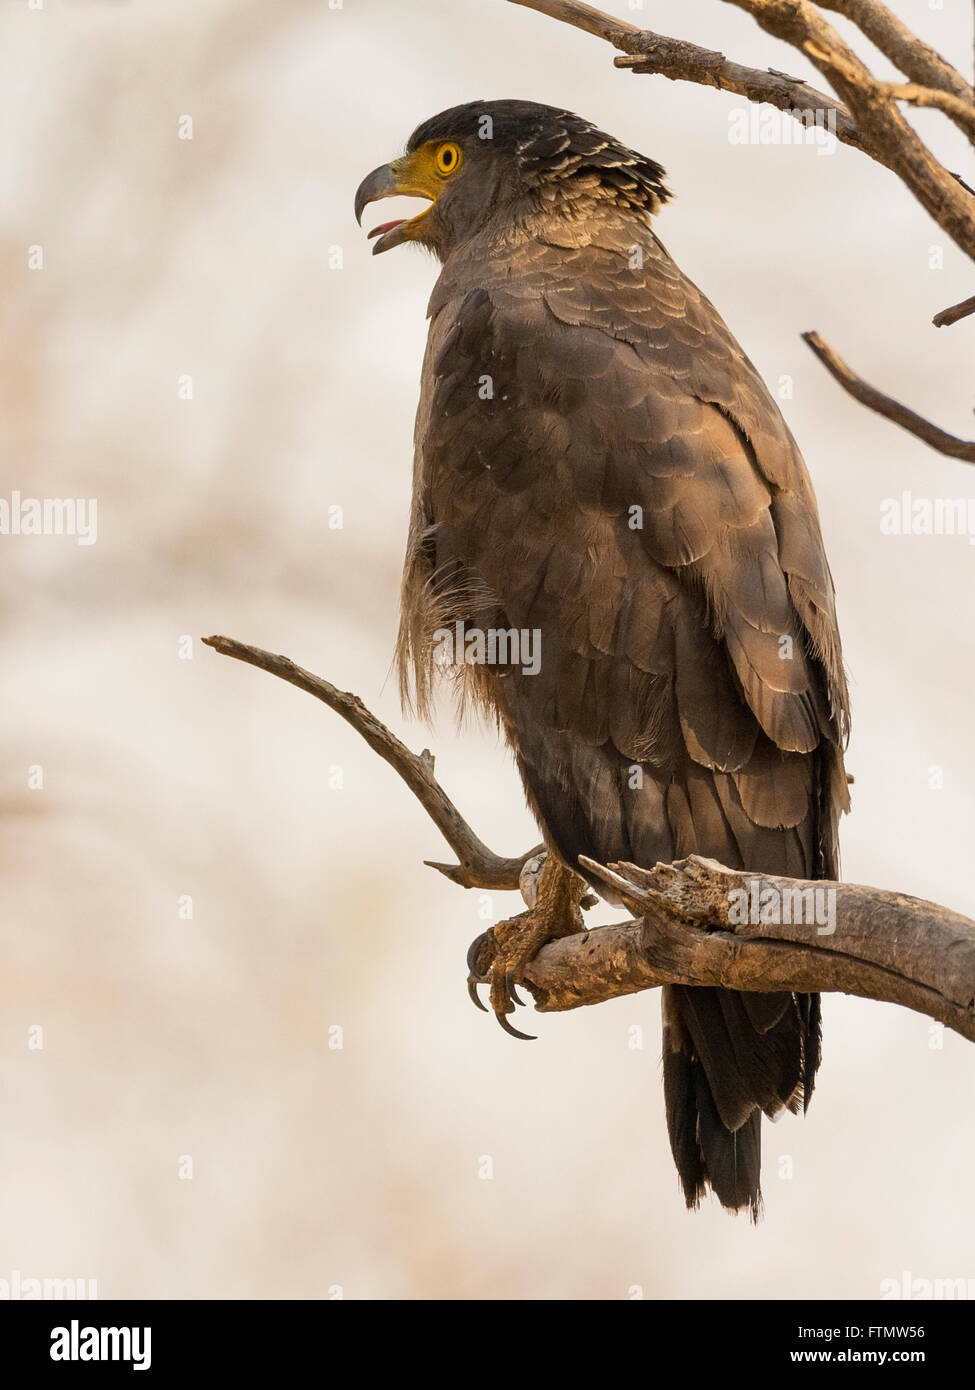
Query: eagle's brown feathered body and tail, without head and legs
point(600, 464)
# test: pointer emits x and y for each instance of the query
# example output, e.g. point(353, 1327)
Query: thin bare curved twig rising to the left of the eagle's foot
point(479, 867)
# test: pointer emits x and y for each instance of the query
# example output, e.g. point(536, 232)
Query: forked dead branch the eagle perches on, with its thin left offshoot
point(689, 929)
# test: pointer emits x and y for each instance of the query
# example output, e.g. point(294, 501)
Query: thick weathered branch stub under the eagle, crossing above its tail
point(887, 946)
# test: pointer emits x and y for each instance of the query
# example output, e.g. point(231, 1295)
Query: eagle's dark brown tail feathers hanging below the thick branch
point(727, 1060)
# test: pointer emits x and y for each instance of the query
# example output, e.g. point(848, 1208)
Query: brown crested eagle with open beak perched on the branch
point(603, 479)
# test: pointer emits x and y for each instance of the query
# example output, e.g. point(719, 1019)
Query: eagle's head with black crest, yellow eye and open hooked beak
point(499, 165)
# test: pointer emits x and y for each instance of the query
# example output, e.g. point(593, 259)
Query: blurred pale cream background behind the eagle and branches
point(216, 258)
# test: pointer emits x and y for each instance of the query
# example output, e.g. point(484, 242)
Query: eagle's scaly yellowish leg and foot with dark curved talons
point(501, 954)
